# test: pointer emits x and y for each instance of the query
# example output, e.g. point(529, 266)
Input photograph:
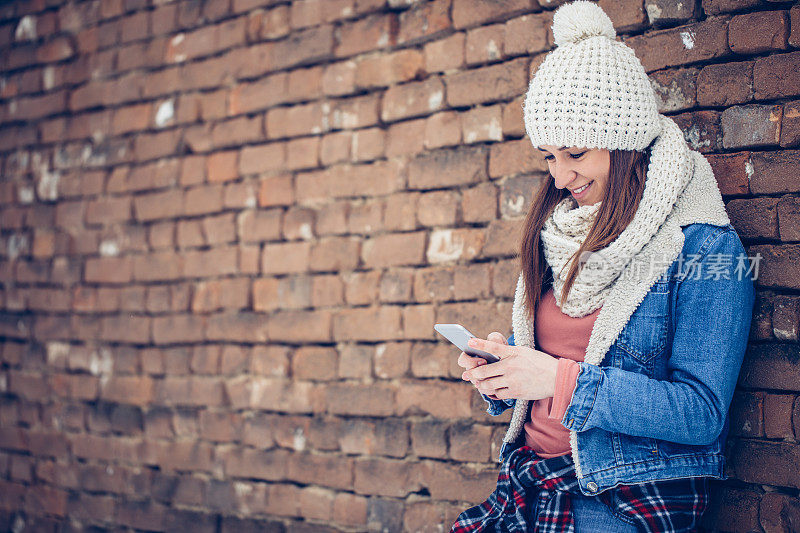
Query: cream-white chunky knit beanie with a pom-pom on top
point(591, 91)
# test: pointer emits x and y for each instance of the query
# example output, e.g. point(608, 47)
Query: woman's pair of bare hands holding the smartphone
point(522, 372)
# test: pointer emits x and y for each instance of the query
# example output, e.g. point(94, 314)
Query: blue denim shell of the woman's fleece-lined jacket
point(657, 405)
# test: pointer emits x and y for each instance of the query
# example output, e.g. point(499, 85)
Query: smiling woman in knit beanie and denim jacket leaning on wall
point(631, 312)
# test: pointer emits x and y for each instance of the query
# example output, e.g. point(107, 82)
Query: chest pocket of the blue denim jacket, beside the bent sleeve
point(645, 335)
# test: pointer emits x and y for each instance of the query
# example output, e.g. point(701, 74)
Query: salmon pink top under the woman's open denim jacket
point(566, 338)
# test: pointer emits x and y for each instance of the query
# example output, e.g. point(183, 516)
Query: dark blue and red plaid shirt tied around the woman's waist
point(668, 506)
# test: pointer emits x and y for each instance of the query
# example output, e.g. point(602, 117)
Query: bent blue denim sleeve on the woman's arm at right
point(712, 324)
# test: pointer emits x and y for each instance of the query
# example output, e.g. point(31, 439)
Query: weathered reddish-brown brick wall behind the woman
point(228, 227)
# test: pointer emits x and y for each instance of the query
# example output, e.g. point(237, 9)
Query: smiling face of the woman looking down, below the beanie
point(573, 168)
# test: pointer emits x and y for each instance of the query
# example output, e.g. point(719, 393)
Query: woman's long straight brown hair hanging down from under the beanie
point(626, 180)
